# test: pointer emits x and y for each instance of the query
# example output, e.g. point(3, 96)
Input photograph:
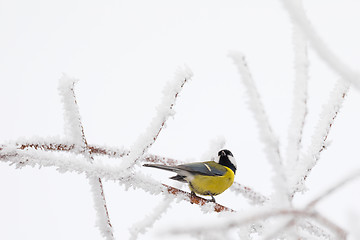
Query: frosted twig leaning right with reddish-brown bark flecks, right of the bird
point(318, 141)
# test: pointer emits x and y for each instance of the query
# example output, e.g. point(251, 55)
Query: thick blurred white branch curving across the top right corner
point(298, 15)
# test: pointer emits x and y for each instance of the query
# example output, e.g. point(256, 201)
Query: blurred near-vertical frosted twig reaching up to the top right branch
point(299, 107)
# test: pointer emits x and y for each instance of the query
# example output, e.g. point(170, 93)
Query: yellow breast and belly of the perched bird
point(204, 185)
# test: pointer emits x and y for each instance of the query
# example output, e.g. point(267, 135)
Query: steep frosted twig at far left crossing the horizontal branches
point(75, 131)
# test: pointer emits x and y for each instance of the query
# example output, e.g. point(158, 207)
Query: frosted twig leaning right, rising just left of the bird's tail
point(164, 111)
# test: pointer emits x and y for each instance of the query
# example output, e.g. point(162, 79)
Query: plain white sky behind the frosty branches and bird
point(124, 52)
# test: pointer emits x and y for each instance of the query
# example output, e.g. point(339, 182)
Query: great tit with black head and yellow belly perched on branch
point(208, 178)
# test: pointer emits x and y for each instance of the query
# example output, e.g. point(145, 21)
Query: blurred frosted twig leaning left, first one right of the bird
point(267, 135)
